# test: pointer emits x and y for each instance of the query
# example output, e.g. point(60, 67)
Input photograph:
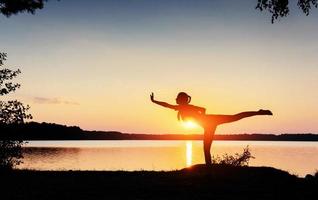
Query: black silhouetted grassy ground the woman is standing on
point(197, 182)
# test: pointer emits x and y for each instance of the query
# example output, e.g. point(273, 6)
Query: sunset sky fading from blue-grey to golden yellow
point(94, 63)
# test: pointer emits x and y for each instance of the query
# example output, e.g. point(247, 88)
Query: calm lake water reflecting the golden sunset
point(298, 158)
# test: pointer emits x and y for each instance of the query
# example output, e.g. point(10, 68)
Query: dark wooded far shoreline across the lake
point(49, 131)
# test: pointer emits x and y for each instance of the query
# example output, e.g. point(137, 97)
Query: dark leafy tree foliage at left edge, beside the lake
point(11, 112)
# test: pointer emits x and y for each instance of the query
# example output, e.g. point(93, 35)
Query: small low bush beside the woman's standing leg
point(234, 160)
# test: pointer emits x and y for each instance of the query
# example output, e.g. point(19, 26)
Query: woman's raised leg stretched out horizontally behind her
point(221, 119)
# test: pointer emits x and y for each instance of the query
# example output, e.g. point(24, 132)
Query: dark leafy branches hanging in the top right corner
point(280, 8)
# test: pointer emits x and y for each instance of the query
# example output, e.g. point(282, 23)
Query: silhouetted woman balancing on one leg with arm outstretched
point(208, 122)
